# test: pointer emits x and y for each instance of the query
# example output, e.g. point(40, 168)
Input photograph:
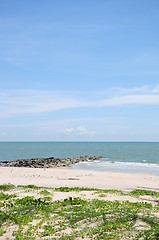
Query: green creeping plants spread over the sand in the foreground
point(41, 217)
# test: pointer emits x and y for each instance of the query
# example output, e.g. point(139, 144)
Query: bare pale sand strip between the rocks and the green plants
point(55, 177)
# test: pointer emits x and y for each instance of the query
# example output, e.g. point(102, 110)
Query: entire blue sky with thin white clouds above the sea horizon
point(79, 70)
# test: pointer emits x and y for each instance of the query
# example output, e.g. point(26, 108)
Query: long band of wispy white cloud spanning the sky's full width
point(21, 102)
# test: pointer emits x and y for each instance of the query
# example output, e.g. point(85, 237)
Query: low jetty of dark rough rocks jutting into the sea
point(50, 162)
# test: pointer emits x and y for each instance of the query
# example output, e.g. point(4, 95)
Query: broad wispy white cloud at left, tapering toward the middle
point(35, 101)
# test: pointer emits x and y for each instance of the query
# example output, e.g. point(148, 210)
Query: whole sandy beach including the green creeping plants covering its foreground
point(106, 199)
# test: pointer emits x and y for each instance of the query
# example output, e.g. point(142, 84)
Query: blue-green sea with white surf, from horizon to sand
point(138, 157)
